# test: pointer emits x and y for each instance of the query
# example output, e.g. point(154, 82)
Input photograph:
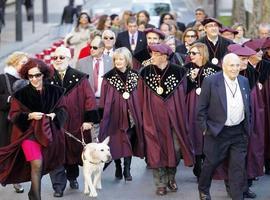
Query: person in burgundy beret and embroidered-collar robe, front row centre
point(164, 118)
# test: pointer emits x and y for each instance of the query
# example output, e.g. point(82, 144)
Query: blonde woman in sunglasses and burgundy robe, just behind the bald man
point(199, 67)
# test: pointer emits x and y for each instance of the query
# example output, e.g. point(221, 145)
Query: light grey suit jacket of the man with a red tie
point(86, 65)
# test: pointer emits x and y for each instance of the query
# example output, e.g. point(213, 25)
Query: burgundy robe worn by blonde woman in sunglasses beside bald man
point(192, 94)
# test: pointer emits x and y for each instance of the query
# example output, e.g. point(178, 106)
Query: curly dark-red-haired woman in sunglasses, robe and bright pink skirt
point(37, 143)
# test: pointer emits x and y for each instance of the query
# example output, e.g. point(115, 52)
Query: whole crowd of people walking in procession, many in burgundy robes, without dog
point(203, 98)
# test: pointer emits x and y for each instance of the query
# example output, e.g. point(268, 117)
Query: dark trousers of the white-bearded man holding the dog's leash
point(60, 176)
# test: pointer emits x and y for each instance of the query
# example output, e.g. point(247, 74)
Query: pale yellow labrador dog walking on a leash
point(94, 156)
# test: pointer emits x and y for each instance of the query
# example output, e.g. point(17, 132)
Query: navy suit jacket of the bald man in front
point(212, 105)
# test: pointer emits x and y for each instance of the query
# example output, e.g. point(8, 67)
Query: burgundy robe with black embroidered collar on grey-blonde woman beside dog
point(119, 114)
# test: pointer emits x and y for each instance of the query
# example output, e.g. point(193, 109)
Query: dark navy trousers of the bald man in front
point(231, 143)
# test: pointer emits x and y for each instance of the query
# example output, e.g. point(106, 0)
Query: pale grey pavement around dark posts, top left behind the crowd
point(43, 32)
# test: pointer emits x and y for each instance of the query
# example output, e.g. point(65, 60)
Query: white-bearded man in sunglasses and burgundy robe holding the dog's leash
point(82, 115)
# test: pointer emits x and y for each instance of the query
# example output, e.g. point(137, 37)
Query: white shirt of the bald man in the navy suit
point(235, 104)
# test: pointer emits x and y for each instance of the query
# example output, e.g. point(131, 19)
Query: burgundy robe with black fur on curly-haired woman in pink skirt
point(14, 168)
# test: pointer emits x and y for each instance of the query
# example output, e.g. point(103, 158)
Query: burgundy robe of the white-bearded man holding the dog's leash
point(81, 107)
